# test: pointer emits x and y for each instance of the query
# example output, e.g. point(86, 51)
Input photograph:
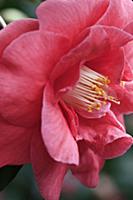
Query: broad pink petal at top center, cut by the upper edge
point(70, 17)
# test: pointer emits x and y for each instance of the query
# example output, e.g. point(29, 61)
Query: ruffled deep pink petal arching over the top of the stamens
point(96, 50)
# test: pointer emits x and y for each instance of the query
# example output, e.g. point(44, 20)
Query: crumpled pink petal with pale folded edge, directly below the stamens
point(95, 131)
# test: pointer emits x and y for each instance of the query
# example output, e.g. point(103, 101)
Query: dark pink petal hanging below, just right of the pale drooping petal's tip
point(89, 167)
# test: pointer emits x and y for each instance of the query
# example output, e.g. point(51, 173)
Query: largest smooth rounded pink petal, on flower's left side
point(26, 65)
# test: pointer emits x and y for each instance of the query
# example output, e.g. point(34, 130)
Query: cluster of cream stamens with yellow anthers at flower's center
point(91, 92)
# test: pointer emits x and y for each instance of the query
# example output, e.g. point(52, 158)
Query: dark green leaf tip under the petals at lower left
point(7, 174)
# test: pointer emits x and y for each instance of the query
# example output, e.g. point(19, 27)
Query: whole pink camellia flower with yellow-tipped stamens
point(65, 82)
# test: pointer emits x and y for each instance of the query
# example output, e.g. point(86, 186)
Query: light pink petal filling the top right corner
point(119, 13)
